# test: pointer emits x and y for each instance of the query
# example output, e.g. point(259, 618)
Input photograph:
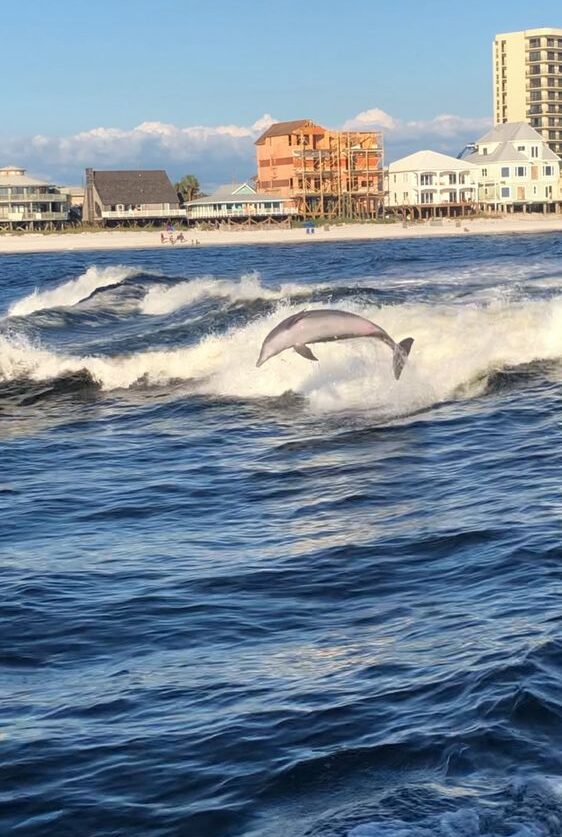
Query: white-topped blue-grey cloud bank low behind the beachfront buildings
point(214, 154)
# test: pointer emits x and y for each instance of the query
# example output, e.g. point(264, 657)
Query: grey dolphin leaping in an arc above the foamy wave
point(324, 326)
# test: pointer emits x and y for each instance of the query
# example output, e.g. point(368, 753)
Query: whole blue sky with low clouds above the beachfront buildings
point(188, 85)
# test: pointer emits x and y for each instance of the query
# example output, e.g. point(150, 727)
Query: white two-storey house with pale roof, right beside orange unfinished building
point(430, 184)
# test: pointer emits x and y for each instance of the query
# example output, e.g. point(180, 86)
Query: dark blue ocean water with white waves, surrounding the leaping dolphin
point(305, 599)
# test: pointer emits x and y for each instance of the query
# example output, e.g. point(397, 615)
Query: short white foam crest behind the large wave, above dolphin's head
point(165, 300)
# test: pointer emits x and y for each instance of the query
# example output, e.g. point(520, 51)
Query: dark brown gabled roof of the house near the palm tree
point(135, 187)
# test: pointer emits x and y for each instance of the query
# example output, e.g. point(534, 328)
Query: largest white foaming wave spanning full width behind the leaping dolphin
point(457, 352)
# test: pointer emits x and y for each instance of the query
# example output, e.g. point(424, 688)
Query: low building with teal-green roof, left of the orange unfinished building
point(240, 203)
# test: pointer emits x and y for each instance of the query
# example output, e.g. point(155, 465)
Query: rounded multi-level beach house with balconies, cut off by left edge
point(27, 203)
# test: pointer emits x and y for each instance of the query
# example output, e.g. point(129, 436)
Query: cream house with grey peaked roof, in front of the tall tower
point(518, 171)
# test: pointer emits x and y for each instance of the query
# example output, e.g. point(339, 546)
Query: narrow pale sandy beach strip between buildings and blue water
point(150, 240)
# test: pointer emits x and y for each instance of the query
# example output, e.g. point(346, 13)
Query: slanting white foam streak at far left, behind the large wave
point(72, 292)
